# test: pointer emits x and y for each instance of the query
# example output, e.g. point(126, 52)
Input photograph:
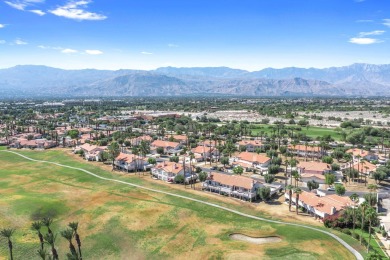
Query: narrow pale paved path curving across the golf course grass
point(342, 242)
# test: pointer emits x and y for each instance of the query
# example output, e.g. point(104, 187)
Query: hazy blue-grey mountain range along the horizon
point(357, 80)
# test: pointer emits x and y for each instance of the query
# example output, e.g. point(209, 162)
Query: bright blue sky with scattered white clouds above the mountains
point(146, 34)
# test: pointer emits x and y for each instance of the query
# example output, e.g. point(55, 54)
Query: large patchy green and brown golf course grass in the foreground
point(121, 222)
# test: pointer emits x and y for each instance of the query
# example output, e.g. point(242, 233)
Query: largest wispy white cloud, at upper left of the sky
point(74, 10)
